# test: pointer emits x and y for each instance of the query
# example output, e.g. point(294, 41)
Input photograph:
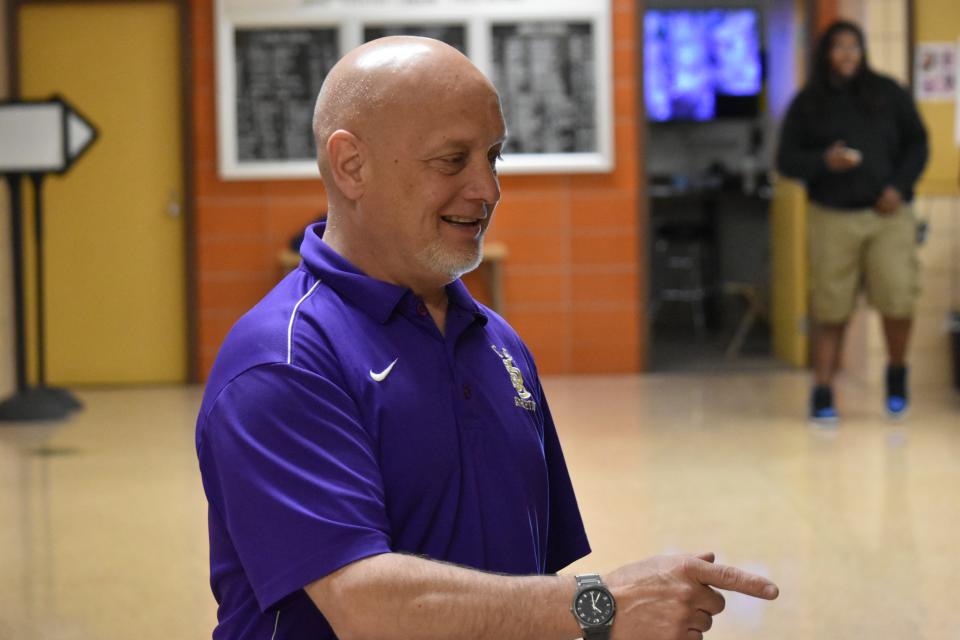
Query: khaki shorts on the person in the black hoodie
point(850, 250)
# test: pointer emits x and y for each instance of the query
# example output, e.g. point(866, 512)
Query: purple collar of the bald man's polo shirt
point(376, 298)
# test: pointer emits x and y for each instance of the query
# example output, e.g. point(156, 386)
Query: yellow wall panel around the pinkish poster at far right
point(939, 21)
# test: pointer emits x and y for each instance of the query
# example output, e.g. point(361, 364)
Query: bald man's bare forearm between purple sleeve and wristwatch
point(400, 596)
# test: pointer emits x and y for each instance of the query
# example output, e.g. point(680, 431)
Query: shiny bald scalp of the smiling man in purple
point(381, 84)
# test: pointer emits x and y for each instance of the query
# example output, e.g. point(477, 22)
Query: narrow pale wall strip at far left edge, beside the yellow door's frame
point(6, 282)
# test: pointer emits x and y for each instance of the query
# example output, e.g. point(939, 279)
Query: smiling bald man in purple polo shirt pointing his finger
point(376, 448)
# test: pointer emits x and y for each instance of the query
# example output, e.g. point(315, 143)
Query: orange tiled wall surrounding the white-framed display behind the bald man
point(572, 279)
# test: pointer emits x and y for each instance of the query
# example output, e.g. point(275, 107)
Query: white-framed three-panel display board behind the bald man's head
point(550, 61)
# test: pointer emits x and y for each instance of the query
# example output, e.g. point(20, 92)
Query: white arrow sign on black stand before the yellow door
point(37, 138)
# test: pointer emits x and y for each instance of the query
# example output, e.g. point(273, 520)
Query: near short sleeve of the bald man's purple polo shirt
point(294, 476)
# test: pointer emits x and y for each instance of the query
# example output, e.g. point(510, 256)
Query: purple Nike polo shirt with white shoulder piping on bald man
point(338, 423)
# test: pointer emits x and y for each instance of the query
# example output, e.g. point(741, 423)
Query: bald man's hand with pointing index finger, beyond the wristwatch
point(670, 597)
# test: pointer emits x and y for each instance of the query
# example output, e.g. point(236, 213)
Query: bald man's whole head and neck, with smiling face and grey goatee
point(408, 137)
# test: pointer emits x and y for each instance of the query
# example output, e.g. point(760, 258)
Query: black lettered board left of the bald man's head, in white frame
point(278, 76)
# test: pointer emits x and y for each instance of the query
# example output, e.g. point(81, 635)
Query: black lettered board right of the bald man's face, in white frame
point(544, 72)
